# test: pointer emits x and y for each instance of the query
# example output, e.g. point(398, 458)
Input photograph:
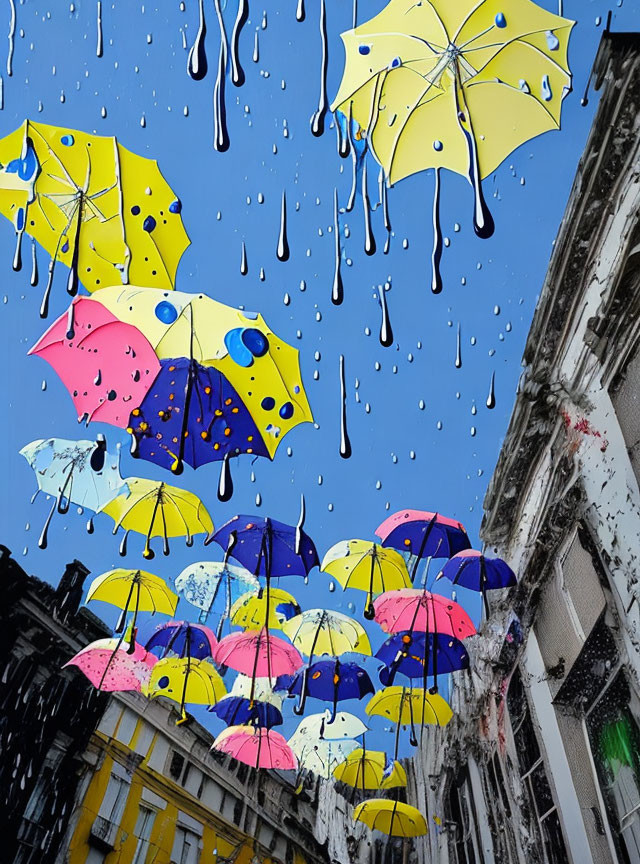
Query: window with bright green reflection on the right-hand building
point(615, 745)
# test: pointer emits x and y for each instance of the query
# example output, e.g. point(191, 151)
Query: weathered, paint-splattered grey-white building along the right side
point(542, 763)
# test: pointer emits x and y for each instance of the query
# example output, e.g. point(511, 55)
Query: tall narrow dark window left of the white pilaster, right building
point(544, 813)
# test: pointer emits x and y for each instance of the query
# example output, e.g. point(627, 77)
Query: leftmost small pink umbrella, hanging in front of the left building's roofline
point(109, 666)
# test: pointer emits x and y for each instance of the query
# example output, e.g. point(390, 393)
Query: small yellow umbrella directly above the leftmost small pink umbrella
point(125, 589)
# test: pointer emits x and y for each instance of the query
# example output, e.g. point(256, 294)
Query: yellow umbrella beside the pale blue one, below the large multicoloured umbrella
point(156, 509)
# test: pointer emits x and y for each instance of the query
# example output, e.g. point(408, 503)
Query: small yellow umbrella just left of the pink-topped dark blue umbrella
point(367, 566)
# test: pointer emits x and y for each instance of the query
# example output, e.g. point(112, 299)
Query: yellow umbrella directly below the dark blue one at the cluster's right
point(408, 706)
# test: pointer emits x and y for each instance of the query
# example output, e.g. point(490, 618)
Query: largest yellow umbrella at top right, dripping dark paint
point(433, 86)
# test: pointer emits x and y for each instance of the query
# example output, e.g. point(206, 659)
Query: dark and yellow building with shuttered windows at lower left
point(95, 778)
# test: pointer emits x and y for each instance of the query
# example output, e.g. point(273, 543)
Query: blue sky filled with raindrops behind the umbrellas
point(401, 458)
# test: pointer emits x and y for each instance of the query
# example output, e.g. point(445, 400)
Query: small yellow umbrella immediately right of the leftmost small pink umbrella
point(185, 679)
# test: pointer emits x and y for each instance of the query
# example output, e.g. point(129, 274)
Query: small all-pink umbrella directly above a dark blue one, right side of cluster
point(410, 609)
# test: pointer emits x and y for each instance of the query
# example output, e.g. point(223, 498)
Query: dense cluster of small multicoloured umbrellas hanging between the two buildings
point(262, 651)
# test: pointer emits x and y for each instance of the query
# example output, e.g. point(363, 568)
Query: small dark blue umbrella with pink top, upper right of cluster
point(423, 535)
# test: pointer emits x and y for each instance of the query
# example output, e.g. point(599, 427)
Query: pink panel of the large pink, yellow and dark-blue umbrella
point(106, 365)
